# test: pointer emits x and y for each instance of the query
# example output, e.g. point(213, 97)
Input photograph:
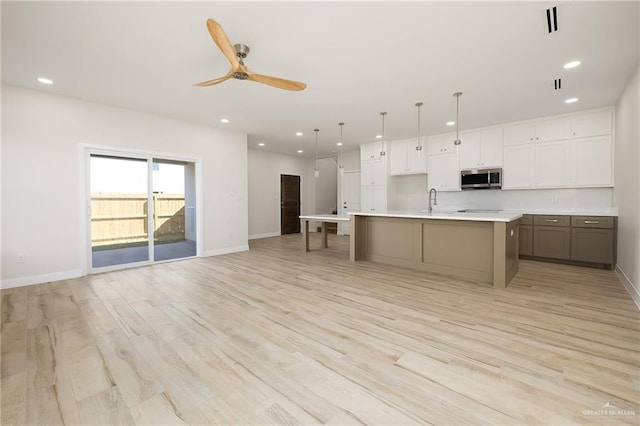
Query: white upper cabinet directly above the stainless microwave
point(481, 149)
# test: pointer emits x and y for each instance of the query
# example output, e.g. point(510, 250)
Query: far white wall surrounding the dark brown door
point(264, 169)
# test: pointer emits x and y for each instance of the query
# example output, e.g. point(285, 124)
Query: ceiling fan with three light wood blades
point(236, 54)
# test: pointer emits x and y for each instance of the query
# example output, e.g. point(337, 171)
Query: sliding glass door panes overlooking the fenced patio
point(142, 210)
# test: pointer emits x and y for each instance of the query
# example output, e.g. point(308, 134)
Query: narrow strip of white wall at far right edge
point(627, 189)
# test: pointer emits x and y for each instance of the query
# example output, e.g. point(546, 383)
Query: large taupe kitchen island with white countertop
point(481, 247)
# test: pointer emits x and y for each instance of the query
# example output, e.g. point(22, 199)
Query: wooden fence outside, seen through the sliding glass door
point(122, 218)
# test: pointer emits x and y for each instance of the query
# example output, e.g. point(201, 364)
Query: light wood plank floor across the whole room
point(279, 336)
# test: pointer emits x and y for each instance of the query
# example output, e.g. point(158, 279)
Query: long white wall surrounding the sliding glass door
point(43, 210)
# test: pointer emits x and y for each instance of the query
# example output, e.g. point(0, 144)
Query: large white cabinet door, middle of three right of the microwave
point(554, 164)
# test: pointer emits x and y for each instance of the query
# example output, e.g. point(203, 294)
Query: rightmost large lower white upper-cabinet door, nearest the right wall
point(593, 161)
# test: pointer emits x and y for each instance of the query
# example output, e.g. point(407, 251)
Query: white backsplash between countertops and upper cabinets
point(410, 193)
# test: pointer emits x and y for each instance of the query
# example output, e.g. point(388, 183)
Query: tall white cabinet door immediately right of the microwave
point(518, 167)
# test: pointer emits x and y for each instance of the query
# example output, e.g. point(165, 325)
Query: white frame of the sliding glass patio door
point(85, 152)
